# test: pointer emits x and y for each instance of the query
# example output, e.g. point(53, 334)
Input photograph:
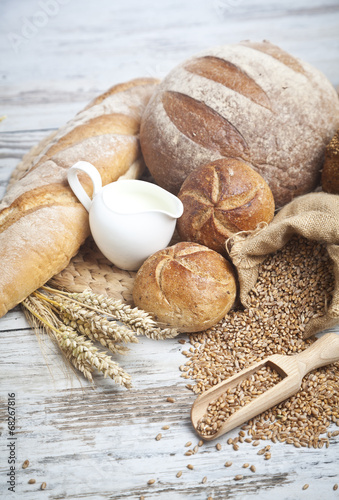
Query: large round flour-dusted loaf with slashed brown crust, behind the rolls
point(251, 101)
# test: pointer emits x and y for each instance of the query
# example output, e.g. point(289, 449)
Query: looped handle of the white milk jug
point(78, 190)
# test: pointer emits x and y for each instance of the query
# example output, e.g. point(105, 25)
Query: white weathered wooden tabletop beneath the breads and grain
point(100, 443)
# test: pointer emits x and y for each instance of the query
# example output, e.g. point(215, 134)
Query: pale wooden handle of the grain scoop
point(322, 352)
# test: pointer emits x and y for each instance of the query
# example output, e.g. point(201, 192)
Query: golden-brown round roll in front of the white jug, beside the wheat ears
point(187, 286)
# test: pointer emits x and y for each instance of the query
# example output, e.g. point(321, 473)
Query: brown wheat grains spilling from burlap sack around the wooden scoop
point(294, 285)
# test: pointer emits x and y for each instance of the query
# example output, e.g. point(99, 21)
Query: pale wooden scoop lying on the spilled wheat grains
point(292, 369)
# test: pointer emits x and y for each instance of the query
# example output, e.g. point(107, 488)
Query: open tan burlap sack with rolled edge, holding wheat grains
point(314, 216)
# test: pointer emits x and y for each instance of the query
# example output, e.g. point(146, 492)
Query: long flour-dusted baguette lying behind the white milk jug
point(42, 224)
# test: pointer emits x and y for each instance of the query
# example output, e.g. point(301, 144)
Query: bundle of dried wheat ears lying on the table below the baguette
point(76, 320)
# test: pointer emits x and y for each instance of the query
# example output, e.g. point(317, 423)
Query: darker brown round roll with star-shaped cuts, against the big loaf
point(220, 199)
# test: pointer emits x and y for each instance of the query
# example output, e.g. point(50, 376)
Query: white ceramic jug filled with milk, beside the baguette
point(129, 219)
